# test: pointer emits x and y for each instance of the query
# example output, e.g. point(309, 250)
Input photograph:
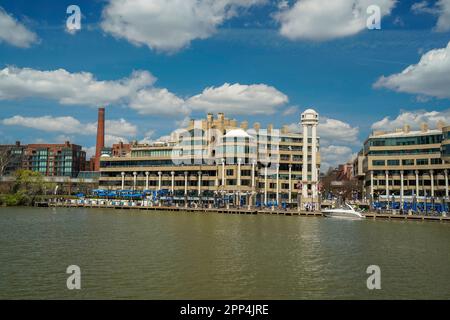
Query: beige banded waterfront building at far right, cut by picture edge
point(405, 165)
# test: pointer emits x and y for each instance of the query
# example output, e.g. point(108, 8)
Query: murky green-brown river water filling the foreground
point(126, 254)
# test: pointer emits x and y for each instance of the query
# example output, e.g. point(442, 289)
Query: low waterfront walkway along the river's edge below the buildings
point(274, 211)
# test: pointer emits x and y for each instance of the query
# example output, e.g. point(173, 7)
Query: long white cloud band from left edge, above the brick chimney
point(136, 91)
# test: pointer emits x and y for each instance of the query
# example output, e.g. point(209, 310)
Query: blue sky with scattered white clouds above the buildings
point(155, 64)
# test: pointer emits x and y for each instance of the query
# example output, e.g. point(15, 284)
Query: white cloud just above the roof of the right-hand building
point(414, 119)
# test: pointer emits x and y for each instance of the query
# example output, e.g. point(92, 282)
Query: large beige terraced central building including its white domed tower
point(217, 158)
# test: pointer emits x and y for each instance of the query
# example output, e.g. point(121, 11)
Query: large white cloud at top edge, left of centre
point(168, 25)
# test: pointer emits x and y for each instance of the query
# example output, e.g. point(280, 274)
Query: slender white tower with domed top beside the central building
point(310, 119)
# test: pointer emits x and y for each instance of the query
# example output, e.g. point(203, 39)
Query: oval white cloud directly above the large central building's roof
point(239, 99)
